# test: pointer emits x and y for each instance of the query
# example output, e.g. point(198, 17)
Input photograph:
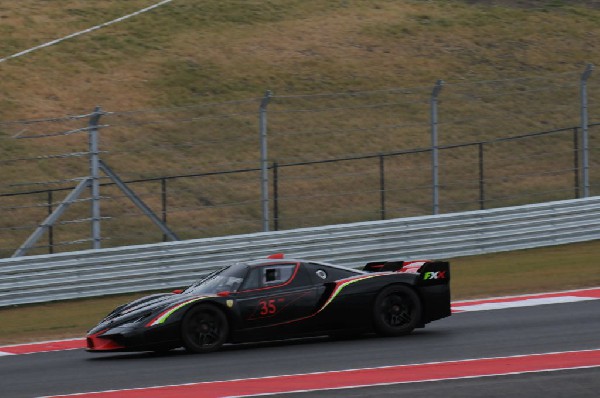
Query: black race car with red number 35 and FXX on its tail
point(277, 298)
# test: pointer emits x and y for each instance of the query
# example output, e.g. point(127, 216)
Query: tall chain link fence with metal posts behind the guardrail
point(203, 170)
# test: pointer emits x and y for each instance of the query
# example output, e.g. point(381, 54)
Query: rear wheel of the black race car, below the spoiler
point(397, 311)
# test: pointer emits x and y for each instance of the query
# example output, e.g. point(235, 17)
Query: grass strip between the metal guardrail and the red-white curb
point(527, 271)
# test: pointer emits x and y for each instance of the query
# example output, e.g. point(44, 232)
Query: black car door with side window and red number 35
point(276, 296)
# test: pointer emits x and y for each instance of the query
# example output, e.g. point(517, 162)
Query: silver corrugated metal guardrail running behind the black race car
point(175, 264)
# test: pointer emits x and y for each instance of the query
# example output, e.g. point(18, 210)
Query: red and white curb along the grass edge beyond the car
point(527, 300)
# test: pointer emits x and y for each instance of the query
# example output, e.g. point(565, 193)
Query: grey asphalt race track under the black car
point(469, 335)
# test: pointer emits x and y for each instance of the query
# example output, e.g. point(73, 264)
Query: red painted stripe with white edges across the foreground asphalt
point(368, 377)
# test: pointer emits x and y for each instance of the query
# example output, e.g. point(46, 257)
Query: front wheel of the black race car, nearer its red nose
point(204, 328)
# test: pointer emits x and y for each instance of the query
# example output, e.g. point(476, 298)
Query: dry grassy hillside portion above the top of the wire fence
point(188, 51)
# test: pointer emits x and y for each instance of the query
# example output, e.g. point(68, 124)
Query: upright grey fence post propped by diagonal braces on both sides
point(95, 176)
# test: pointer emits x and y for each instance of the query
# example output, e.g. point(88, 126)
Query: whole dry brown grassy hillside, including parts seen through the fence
point(184, 81)
